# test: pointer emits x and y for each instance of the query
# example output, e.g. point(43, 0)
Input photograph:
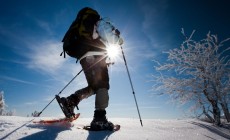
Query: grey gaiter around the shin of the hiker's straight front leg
point(102, 99)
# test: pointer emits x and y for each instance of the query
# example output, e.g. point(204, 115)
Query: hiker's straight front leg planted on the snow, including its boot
point(101, 87)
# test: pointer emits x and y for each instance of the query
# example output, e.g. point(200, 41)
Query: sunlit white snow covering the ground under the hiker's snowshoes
point(15, 127)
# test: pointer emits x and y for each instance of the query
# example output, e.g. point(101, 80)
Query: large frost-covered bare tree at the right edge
point(200, 75)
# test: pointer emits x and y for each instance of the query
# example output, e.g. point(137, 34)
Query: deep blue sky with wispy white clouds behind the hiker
point(32, 72)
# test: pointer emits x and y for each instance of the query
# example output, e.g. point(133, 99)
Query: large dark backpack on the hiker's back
point(79, 31)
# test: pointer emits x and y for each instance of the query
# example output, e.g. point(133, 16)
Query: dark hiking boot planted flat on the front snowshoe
point(100, 121)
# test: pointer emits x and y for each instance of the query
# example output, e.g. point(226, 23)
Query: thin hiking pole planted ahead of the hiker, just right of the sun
point(131, 85)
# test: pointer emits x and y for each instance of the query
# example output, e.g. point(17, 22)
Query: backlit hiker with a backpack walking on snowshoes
point(94, 66)
